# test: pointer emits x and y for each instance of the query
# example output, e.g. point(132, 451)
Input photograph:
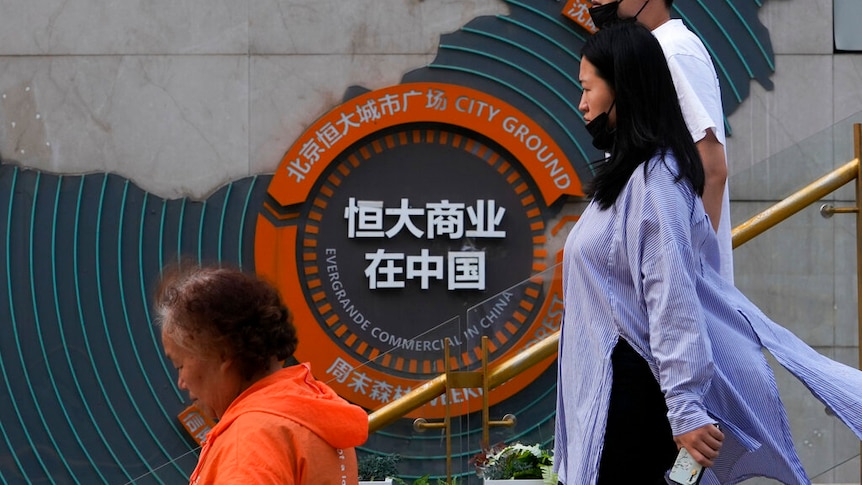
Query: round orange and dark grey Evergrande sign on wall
point(407, 219)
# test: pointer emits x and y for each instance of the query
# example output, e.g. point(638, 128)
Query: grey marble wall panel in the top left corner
point(88, 27)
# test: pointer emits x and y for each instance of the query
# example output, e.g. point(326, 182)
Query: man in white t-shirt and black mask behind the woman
point(699, 97)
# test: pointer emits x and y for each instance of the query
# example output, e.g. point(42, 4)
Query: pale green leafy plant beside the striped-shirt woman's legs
point(516, 461)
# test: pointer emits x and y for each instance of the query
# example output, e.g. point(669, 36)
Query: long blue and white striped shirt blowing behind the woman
point(646, 270)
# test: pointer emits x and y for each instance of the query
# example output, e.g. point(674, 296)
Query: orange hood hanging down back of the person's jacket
point(294, 393)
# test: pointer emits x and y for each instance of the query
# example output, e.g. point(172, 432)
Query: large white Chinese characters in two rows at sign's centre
point(452, 220)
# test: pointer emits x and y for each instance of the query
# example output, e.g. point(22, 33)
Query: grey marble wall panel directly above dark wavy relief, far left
point(176, 125)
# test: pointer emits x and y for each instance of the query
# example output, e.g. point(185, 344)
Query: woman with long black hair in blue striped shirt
point(657, 351)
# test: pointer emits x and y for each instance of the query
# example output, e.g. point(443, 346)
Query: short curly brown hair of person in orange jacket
point(225, 312)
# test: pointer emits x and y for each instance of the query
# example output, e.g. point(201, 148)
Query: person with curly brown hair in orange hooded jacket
point(228, 334)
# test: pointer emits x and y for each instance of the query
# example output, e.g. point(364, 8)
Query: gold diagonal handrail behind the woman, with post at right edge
point(743, 233)
